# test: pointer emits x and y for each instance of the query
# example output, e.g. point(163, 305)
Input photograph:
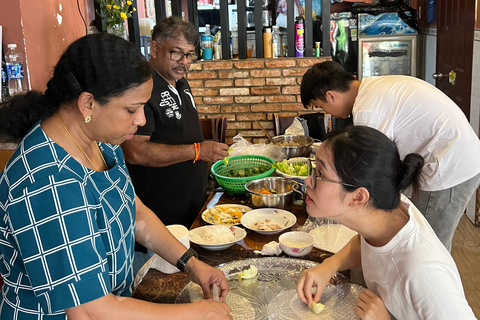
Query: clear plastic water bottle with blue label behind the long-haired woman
point(14, 62)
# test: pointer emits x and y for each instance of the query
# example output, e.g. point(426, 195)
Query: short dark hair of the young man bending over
point(323, 77)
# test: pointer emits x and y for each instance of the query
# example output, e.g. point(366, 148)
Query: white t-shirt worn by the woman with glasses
point(414, 274)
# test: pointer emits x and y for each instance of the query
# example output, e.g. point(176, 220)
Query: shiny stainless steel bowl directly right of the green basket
point(283, 199)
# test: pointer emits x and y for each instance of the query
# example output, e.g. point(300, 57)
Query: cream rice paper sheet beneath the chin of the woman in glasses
point(331, 237)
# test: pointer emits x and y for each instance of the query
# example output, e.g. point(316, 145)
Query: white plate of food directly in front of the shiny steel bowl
point(284, 218)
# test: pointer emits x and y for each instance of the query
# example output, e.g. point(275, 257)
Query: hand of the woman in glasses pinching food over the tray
point(318, 277)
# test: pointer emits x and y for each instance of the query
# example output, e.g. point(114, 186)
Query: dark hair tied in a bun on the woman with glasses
point(365, 157)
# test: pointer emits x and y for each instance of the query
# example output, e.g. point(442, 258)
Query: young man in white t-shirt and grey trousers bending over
point(418, 118)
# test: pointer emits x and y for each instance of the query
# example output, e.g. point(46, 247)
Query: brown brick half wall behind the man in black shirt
point(249, 90)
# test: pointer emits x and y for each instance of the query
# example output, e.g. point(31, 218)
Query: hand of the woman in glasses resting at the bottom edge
point(369, 306)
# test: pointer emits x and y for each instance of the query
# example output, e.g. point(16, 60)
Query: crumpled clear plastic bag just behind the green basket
point(241, 147)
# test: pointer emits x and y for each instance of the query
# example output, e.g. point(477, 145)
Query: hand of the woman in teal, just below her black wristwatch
point(205, 275)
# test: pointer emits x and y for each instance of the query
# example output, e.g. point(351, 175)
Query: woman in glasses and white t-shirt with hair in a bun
point(358, 180)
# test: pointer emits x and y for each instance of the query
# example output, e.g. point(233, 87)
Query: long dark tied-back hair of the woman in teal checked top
point(102, 64)
